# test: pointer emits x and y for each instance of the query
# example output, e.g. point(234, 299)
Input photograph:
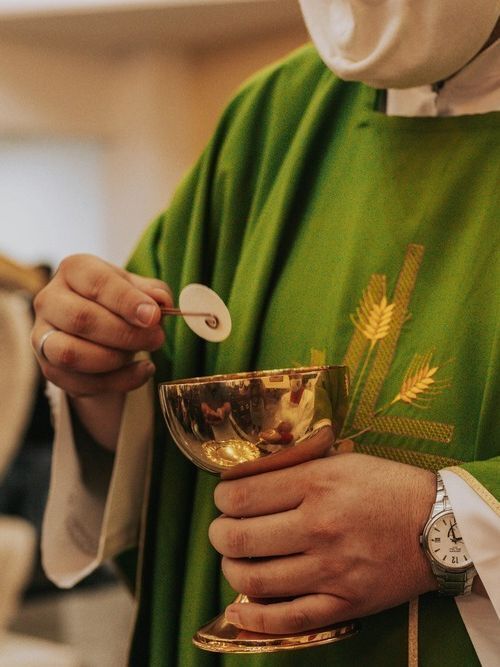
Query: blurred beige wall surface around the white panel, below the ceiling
point(152, 110)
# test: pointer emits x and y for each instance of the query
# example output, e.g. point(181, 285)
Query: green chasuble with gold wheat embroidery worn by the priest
point(335, 234)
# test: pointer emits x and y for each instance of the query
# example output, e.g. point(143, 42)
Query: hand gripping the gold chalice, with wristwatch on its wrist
point(338, 535)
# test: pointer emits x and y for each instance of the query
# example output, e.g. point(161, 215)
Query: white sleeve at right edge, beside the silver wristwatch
point(479, 524)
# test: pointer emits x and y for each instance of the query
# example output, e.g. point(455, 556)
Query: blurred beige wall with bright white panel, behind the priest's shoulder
point(103, 108)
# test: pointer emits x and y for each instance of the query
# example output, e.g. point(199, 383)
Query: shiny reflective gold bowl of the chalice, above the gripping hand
point(224, 420)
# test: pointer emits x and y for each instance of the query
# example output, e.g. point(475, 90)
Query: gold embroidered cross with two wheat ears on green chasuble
point(378, 326)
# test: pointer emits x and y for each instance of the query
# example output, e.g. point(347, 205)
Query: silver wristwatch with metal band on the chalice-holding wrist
point(445, 549)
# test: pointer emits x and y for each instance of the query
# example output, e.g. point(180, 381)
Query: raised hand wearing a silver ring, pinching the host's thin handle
point(102, 315)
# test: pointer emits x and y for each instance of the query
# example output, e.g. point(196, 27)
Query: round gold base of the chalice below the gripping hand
point(219, 636)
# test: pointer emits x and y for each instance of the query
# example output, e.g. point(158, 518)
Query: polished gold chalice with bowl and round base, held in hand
point(247, 423)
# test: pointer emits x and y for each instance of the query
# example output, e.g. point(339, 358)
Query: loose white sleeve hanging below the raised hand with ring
point(95, 514)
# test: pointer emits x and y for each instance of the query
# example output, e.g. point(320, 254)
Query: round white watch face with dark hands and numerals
point(446, 545)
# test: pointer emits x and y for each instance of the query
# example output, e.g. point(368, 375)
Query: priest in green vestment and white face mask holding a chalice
point(341, 223)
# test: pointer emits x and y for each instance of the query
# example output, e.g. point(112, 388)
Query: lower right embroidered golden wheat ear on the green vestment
point(420, 386)
